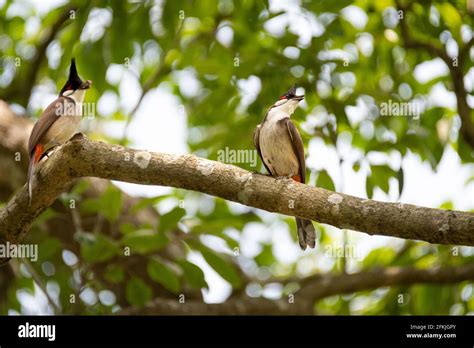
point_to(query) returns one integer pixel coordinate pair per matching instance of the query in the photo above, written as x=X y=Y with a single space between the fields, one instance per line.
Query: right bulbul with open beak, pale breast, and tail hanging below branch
x=281 y=149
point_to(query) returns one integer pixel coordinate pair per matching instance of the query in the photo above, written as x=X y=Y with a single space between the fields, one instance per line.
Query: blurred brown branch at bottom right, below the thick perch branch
x=313 y=289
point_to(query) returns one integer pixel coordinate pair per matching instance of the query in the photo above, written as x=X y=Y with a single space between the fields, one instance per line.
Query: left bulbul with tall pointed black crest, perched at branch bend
x=58 y=122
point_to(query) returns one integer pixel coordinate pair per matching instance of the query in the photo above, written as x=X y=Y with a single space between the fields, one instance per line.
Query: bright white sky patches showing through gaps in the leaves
x=166 y=131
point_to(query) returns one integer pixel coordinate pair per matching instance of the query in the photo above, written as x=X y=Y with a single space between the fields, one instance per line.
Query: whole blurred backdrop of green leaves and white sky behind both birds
x=197 y=77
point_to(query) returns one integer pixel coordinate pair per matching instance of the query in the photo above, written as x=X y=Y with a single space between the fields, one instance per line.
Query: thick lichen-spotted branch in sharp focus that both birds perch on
x=82 y=157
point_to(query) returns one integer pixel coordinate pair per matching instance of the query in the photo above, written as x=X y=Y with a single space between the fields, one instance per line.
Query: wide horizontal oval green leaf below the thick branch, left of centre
x=144 y=241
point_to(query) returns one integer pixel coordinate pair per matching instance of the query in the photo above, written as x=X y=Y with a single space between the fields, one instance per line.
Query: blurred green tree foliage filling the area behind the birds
x=341 y=66
